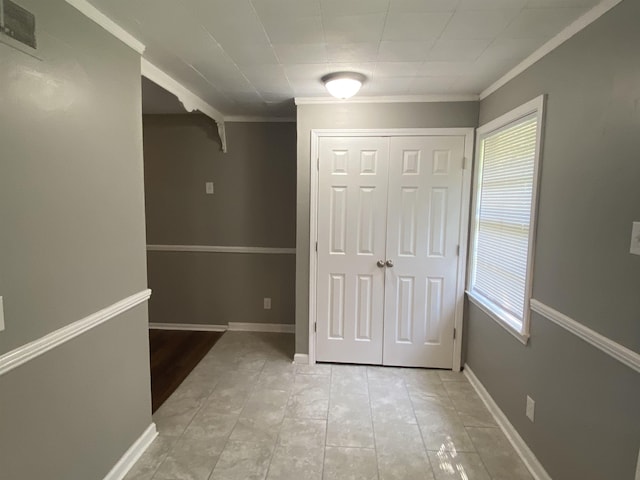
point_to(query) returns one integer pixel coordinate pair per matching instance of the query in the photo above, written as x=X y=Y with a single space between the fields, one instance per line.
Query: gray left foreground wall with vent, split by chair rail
x=71 y=243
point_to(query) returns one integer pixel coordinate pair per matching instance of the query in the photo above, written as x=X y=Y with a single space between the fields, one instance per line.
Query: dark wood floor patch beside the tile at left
x=173 y=355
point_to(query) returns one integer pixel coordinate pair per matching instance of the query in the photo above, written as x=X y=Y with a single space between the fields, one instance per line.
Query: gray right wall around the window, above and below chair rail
x=587 y=424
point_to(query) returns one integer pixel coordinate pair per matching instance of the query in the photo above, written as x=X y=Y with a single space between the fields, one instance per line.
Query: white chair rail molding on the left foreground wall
x=31 y=350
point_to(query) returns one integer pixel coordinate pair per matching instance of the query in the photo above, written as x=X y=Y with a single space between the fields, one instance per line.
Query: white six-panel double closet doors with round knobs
x=387 y=263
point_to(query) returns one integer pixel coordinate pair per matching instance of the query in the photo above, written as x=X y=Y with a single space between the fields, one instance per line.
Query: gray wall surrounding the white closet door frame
x=405 y=115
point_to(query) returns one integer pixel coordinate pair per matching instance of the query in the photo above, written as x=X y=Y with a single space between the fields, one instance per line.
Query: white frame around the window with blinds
x=519 y=330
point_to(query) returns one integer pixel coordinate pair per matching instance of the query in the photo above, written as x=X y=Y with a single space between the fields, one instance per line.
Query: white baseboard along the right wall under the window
x=529 y=459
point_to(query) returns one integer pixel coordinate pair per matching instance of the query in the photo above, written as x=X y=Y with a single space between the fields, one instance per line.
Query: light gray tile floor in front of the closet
x=247 y=413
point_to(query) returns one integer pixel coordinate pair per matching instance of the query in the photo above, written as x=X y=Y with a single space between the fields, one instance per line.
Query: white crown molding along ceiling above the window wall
x=576 y=26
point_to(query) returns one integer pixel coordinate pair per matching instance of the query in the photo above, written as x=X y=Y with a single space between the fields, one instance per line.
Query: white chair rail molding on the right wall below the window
x=621 y=353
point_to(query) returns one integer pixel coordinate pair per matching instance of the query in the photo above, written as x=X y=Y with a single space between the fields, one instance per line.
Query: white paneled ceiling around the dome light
x=251 y=57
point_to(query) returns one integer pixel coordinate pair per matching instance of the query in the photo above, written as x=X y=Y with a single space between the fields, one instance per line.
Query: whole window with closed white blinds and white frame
x=507 y=158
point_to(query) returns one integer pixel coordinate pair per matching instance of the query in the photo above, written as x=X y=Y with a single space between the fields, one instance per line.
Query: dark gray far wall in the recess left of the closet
x=253 y=205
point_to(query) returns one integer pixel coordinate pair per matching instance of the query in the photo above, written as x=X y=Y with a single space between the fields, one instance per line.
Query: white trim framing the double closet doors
x=465 y=207
